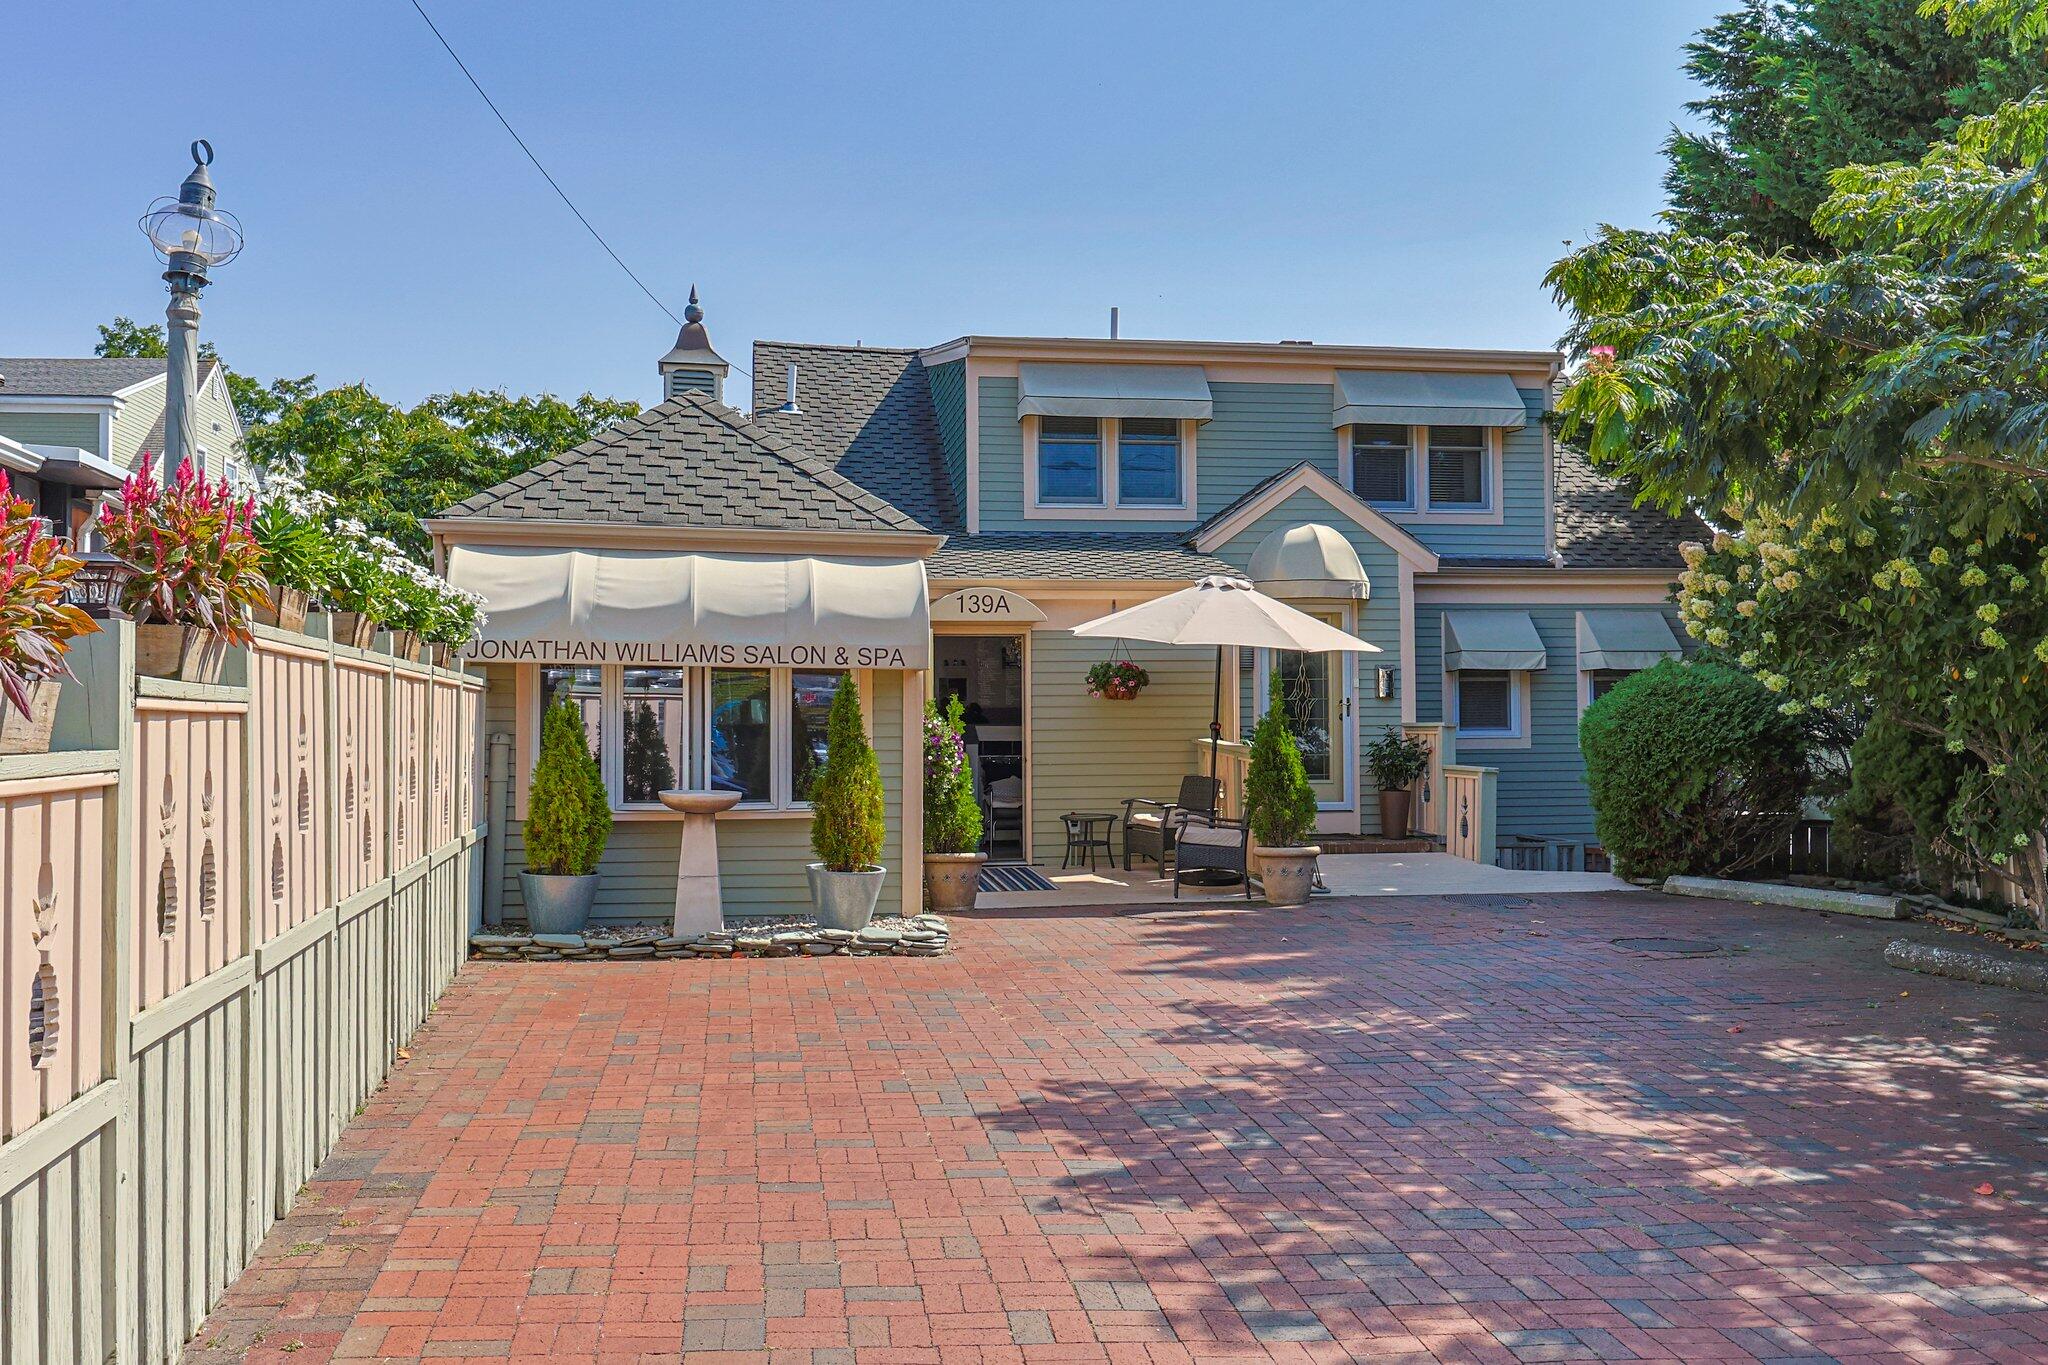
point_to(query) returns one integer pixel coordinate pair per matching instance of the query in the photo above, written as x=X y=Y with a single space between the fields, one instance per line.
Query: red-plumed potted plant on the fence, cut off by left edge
x=36 y=625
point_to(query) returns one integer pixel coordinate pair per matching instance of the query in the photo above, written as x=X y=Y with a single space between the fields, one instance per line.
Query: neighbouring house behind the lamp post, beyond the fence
x=91 y=423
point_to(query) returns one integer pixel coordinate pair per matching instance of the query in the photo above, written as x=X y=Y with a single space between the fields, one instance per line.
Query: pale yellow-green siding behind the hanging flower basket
x=1089 y=754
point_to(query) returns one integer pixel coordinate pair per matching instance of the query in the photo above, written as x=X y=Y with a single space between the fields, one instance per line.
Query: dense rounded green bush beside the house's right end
x=1693 y=770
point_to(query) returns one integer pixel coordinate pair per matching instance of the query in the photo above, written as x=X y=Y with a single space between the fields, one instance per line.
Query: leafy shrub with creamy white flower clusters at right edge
x=1924 y=615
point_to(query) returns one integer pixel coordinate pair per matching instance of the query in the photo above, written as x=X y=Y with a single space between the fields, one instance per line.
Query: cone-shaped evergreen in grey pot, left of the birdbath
x=568 y=824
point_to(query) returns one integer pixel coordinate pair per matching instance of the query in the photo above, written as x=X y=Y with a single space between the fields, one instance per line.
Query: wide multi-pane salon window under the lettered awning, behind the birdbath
x=751 y=732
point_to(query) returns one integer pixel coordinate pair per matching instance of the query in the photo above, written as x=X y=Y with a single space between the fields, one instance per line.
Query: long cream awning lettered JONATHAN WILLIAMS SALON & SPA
x=675 y=609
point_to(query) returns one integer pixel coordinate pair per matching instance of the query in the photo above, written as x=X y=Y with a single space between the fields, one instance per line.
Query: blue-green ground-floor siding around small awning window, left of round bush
x=1543 y=787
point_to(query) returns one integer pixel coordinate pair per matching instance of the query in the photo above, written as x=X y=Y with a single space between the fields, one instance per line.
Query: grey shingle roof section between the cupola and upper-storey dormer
x=865 y=410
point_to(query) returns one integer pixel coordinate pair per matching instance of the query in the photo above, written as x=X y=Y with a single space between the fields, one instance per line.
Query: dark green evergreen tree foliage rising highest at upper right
x=1803 y=87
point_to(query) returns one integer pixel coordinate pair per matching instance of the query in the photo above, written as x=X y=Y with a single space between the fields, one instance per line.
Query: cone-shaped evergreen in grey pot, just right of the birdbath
x=847 y=822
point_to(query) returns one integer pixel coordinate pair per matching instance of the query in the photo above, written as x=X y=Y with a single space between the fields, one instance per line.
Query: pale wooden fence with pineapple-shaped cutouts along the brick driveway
x=226 y=908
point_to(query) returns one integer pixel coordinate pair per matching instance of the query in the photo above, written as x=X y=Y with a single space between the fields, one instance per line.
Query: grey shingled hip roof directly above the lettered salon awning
x=687 y=464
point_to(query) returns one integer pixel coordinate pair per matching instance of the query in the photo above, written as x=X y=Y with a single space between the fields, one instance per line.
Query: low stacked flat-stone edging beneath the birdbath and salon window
x=921 y=936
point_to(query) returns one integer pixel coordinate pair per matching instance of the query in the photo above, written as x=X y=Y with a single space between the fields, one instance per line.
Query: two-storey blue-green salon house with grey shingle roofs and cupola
x=1410 y=496
